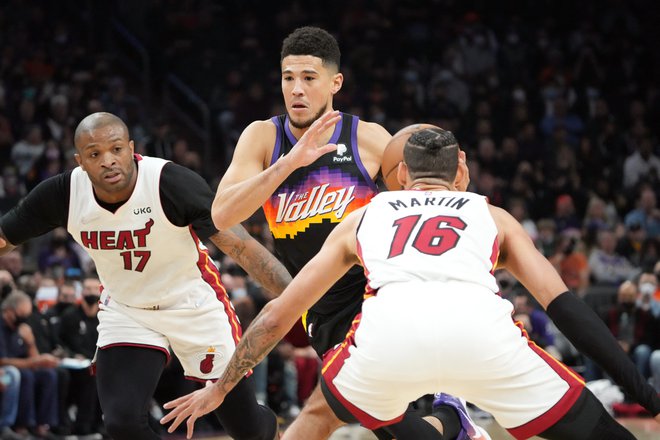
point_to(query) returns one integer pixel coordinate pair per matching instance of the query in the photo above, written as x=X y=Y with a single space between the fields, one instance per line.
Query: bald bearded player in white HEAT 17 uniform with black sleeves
x=142 y=220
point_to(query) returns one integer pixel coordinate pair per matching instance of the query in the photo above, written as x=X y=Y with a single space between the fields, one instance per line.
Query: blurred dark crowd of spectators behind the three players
x=556 y=103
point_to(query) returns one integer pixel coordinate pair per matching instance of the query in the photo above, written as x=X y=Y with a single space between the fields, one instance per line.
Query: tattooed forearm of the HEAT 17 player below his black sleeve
x=254 y=258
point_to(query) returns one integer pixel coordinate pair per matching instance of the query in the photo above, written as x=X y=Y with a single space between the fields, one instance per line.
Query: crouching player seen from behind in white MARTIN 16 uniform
x=434 y=320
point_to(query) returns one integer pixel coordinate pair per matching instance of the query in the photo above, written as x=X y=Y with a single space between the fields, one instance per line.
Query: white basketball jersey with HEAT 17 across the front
x=142 y=259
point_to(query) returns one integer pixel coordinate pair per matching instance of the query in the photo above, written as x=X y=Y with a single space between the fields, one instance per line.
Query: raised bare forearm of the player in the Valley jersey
x=237 y=202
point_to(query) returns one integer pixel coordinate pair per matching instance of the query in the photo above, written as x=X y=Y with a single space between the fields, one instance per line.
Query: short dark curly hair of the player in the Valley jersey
x=313 y=41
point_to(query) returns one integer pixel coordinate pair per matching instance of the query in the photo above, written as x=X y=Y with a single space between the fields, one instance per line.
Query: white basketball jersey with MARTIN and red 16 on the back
x=429 y=236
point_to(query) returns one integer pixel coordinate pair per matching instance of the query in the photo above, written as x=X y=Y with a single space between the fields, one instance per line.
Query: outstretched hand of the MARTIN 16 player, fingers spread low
x=193 y=406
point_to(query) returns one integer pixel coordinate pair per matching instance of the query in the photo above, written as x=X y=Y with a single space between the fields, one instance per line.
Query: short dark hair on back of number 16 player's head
x=432 y=152
